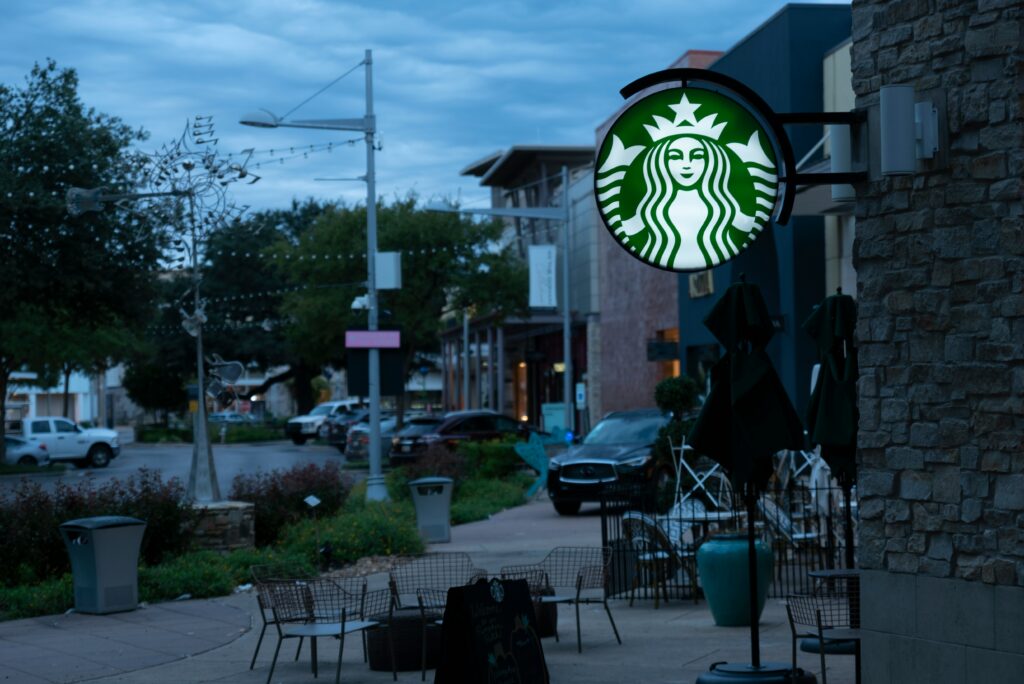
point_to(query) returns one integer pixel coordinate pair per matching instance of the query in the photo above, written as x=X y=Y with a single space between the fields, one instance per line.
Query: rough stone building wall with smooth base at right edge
x=941 y=267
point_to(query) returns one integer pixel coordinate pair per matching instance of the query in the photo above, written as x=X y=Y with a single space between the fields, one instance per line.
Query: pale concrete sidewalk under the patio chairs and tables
x=212 y=640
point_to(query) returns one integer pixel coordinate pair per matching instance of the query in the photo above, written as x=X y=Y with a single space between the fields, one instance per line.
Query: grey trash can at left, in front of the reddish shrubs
x=105 y=562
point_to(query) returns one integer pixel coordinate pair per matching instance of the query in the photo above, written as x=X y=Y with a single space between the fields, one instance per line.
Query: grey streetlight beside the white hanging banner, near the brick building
x=565 y=215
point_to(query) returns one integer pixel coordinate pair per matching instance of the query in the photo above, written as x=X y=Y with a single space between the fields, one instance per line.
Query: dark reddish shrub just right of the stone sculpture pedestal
x=279 y=496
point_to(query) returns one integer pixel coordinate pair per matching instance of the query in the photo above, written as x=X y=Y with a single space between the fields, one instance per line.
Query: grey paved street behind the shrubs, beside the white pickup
x=174 y=461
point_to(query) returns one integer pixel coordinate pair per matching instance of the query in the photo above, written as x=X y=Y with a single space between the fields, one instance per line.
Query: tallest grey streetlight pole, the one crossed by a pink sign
x=376 y=490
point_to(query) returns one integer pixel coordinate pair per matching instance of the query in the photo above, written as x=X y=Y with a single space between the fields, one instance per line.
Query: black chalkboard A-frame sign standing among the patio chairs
x=489 y=636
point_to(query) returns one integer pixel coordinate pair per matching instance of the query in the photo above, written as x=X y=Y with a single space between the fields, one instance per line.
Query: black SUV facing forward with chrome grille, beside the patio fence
x=618 y=450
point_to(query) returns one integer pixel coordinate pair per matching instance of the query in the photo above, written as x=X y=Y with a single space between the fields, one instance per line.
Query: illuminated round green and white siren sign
x=687 y=180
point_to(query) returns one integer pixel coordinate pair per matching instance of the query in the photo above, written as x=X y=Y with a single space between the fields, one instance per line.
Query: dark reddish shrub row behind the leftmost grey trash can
x=30 y=520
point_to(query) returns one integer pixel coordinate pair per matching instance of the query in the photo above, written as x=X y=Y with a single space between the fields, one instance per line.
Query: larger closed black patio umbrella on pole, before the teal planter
x=747 y=418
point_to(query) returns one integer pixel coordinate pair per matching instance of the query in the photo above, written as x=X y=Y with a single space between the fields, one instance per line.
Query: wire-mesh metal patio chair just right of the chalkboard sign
x=569 y=573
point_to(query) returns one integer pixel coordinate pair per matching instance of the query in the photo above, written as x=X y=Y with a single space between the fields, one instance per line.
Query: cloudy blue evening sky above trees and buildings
x=454 y=80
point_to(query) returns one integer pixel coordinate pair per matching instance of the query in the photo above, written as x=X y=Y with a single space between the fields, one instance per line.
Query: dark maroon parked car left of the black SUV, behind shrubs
x=457 y=426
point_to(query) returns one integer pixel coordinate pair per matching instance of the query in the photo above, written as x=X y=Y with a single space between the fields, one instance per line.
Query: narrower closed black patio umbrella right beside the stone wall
x=832 y=414
